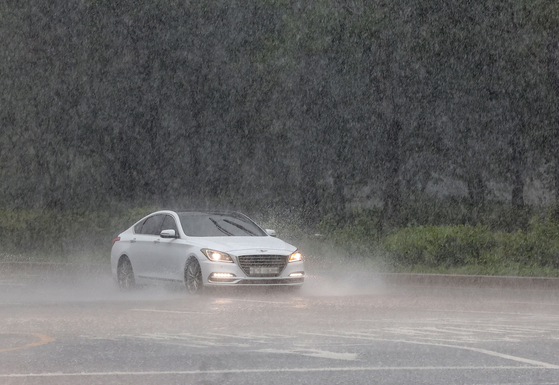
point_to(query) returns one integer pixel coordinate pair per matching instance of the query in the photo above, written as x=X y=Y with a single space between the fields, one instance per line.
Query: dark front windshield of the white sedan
x=218 y=225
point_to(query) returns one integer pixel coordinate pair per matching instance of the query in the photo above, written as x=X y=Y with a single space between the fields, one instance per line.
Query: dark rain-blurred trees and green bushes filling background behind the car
x=440 y=114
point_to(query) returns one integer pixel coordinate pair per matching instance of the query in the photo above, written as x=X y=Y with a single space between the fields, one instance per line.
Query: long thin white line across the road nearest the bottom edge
x=289 y=370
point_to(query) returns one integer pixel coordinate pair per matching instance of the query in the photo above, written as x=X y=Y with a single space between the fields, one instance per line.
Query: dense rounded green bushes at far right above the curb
x=455 y=246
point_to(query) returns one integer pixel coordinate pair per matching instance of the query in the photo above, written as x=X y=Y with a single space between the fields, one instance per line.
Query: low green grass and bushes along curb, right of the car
x=454 y=249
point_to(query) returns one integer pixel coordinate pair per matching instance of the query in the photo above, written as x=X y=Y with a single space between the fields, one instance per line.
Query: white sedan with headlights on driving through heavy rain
x=203 y=249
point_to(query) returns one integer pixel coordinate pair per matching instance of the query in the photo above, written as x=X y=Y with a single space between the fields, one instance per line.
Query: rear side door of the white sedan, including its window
x=146 y=247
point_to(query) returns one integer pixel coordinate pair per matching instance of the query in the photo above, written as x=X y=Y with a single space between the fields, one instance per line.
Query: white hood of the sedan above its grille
x=244 y=245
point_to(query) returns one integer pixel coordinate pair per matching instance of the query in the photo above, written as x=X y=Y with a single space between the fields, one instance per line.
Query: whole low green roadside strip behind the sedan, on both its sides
x=479 y=249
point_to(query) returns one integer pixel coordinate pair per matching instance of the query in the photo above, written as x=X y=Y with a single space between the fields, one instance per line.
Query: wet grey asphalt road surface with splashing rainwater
x=341 y=328
